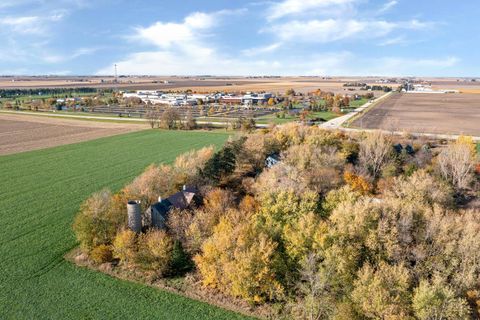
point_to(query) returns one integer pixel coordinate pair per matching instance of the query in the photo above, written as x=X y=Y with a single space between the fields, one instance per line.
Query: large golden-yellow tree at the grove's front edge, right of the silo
x=239 y=261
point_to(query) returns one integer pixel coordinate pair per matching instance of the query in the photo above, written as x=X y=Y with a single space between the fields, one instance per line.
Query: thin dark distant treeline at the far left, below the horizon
x=60 y=92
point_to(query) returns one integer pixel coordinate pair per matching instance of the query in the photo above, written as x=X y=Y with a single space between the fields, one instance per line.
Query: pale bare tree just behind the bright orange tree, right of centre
x=374 y=153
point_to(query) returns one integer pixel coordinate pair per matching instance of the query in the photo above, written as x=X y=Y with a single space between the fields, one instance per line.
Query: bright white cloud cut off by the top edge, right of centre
x=297 y=7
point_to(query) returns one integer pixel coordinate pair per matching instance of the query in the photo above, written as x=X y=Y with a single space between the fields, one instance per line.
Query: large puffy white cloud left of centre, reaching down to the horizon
x=186 y=48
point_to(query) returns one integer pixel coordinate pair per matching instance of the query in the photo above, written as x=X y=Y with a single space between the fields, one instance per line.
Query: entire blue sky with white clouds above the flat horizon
x=282 y=37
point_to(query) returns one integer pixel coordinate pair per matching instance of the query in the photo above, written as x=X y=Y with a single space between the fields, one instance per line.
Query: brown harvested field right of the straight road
x=426 y=113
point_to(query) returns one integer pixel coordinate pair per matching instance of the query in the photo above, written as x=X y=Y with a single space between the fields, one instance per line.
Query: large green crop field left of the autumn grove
x=40 y=194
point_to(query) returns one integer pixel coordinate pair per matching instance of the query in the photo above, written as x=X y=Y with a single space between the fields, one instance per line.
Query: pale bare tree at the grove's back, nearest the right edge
x=455 y=164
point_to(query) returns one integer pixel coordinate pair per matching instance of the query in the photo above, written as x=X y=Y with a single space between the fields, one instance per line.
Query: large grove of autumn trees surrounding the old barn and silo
x=342 y=227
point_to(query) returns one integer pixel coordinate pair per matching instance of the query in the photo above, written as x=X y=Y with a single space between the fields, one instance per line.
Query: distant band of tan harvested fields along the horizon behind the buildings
x=197 y=84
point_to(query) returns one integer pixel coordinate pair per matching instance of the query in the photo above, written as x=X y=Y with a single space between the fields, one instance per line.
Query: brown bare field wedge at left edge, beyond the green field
x=20 y=133
